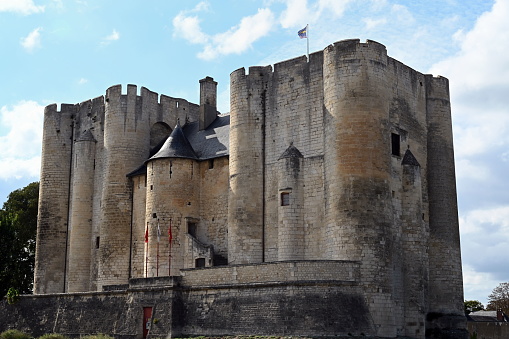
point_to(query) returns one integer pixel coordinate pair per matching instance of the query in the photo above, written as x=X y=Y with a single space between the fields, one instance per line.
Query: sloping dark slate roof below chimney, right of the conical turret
x=212 y=142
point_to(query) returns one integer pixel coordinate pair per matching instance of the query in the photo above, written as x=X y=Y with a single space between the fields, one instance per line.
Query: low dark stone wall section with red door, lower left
x=116 y=313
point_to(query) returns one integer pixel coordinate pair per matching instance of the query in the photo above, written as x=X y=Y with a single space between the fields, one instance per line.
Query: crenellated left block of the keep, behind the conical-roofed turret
x=122 y=142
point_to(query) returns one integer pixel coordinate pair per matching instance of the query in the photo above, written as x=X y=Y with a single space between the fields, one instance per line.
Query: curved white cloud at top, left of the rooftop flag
x=236 y=40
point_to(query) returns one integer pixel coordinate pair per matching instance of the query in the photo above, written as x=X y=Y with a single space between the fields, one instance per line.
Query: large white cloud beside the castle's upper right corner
x=479 y=80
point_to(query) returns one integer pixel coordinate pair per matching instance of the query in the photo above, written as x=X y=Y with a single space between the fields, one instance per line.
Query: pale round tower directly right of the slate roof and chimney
x=247 y=157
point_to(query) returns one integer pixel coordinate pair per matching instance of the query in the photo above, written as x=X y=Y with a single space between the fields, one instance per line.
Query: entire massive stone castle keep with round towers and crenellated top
x=322 y=204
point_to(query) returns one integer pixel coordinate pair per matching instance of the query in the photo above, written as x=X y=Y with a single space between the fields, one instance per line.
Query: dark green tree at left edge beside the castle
x=18 y=229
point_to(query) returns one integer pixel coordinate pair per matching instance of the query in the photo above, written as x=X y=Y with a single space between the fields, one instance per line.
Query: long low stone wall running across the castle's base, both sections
x=328 y=303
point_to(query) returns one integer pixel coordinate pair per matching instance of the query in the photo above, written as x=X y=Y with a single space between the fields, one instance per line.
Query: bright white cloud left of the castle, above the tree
x=21 y=146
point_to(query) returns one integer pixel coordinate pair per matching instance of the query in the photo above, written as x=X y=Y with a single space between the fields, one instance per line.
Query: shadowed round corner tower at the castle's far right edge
x=445 y=275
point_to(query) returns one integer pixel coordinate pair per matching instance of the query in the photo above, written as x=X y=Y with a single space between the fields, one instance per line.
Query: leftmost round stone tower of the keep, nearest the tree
x=52 y=219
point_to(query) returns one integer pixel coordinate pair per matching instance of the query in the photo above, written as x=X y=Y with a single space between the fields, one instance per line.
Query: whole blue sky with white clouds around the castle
x=67 y=51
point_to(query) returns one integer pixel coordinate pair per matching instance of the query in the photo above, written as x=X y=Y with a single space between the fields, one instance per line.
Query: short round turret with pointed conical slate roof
x=172 y=200
